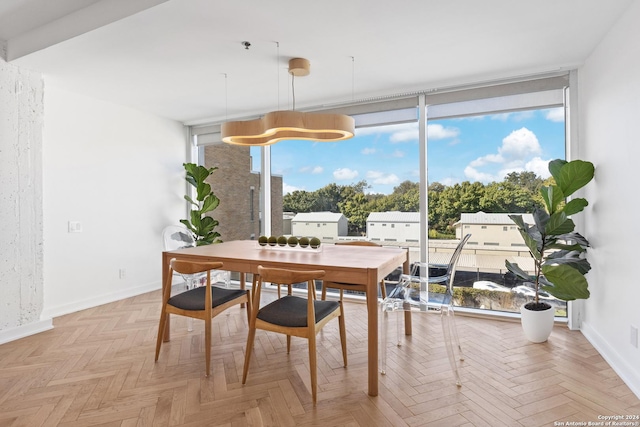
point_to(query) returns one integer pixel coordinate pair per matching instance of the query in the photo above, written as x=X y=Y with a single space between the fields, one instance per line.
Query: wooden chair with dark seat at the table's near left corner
x=201 y=302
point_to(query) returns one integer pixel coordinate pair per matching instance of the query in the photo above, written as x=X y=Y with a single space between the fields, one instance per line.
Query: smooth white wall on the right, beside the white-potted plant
x=609 y=84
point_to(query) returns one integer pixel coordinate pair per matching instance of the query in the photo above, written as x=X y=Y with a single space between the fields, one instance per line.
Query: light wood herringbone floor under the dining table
x=96 y=368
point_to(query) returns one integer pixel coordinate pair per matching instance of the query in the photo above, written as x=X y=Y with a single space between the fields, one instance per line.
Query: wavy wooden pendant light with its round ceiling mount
x=280 y=125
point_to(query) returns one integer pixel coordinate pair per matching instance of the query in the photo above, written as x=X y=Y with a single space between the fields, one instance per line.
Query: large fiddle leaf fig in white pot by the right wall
x=558 y=251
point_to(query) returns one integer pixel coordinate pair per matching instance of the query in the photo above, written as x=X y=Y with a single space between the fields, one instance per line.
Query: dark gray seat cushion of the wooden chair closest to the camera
x=291 y=311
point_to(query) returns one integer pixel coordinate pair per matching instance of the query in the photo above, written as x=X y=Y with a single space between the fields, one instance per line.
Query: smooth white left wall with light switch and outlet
x=117 y=171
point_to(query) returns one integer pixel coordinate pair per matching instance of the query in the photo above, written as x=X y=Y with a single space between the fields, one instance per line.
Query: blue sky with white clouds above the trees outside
x=480 y=148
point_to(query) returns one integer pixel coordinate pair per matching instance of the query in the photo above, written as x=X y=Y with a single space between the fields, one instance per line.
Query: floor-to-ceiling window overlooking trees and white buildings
x=486 y=153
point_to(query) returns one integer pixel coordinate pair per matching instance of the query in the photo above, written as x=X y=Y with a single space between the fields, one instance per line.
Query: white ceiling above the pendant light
x=184 y=59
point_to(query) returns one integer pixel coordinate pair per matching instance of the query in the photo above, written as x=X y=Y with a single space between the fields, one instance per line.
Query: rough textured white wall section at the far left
x=21 y=252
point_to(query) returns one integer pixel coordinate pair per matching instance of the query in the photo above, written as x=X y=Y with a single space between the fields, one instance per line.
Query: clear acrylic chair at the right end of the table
x=412 y=294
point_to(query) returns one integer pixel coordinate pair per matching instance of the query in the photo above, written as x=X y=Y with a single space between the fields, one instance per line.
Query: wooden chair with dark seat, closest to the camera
x=294 y=316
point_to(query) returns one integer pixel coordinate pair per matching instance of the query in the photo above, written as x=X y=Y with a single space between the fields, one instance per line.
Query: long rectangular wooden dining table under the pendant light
x=342 y=263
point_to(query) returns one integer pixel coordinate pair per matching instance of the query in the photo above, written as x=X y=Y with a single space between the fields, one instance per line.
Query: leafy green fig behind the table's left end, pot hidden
x=201 y=226
